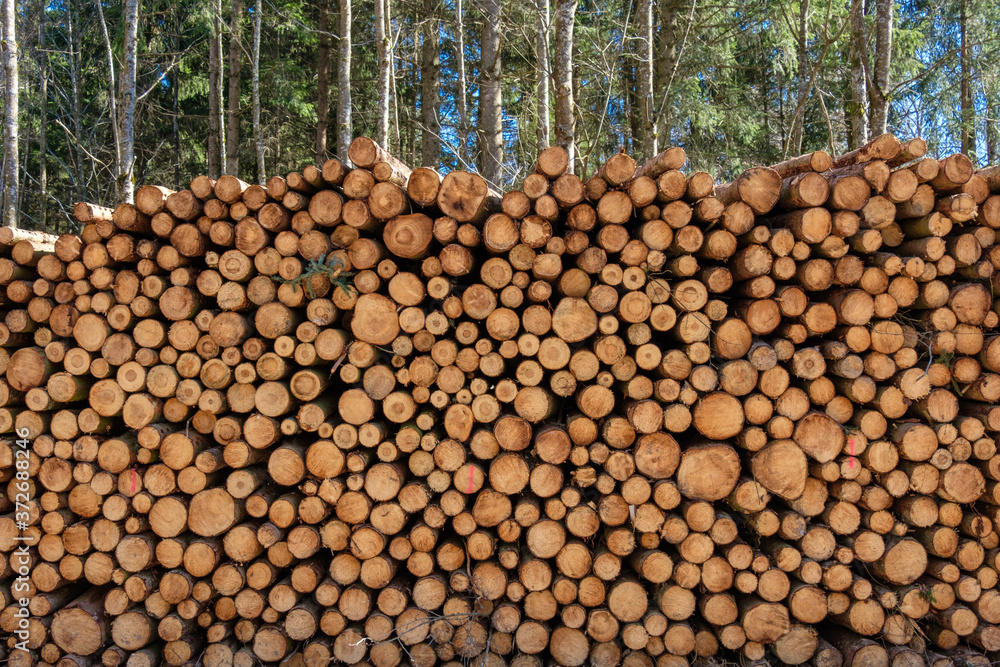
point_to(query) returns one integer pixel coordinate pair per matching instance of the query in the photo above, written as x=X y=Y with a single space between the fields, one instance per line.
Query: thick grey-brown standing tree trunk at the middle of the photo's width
x=490 y=97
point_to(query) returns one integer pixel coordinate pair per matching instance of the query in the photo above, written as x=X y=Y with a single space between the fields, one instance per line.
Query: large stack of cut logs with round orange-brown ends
x=375 y=416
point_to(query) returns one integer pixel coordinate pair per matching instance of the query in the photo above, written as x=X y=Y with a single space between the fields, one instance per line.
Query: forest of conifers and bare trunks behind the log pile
x=99 y=96
